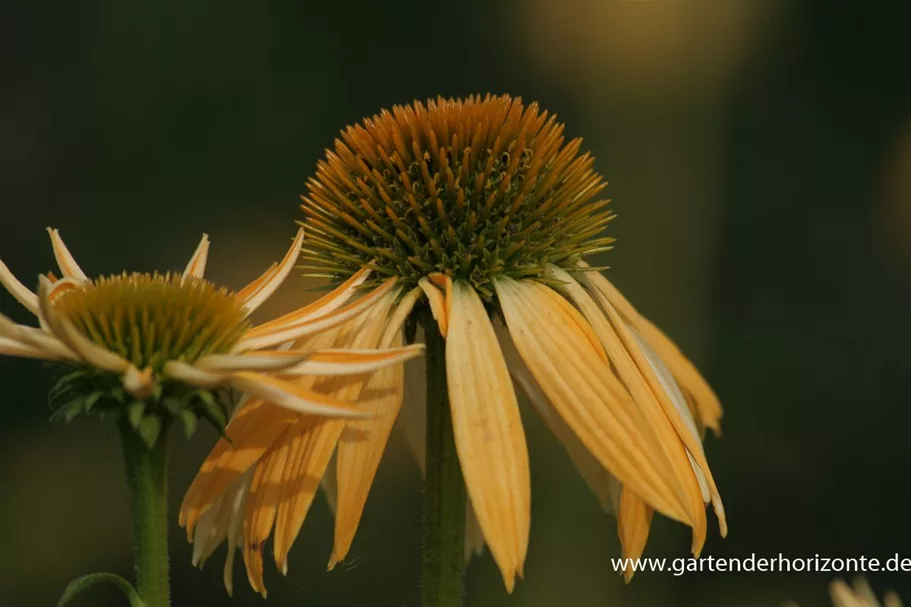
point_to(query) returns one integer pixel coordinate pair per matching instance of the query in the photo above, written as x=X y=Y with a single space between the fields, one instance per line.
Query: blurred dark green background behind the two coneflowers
x=759 y=155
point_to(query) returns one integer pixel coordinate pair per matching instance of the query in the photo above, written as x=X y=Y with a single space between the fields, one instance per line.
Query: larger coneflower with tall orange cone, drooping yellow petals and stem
x=484 y=215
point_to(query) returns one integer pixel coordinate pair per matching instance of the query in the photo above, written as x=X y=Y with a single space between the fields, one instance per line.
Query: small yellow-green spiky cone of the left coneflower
x=151 y=319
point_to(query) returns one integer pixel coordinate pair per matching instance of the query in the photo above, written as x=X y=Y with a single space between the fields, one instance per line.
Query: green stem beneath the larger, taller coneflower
x=443 y=558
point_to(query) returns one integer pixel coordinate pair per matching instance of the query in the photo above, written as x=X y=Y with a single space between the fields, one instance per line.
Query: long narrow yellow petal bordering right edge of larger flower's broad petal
x=639 y=380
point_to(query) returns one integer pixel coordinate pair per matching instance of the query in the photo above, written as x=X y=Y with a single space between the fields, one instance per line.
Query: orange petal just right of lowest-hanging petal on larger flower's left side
x=318 y=439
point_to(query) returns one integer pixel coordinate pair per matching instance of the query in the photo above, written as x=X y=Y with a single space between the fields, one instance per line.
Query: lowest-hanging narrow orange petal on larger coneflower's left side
x=262 y=503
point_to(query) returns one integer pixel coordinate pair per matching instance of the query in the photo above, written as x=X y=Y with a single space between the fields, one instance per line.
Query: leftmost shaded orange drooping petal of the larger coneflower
x=253 y=430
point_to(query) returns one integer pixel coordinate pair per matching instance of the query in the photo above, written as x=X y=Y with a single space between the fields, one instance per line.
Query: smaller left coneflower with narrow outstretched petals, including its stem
x=152 y=350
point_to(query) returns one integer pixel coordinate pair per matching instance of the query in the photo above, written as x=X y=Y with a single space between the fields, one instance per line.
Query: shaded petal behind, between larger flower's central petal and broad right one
x=600 y=481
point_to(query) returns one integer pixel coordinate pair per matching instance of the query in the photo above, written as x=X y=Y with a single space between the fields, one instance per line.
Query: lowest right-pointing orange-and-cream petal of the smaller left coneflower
x=292 y=396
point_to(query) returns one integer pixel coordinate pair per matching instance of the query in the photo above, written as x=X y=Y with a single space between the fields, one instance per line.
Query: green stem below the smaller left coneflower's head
x=147 y=481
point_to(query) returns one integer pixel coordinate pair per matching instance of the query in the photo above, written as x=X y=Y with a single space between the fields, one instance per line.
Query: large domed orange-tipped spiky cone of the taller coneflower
x=474 y=188
